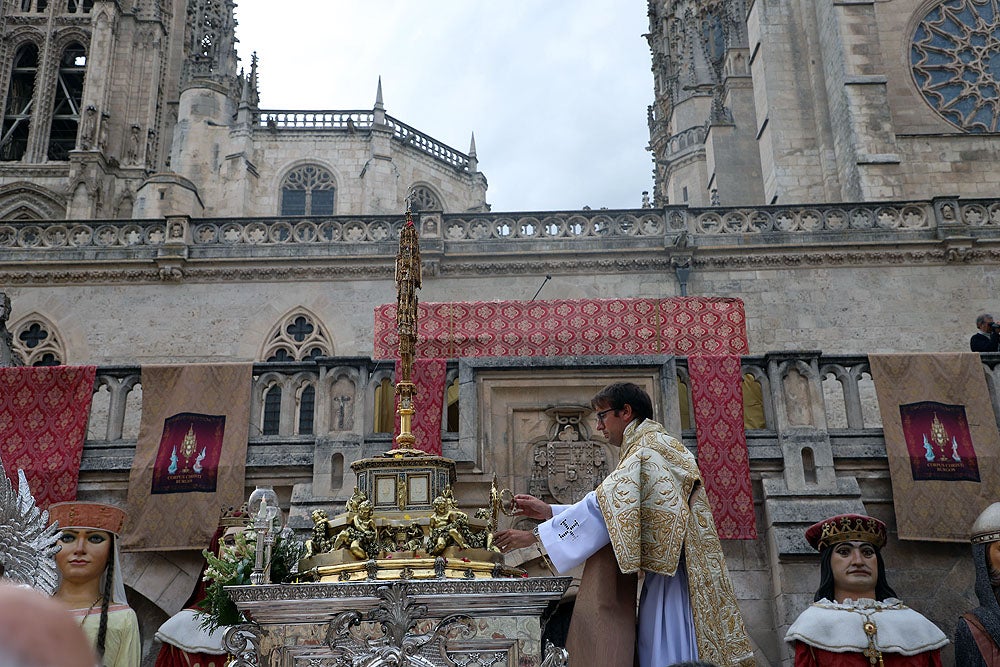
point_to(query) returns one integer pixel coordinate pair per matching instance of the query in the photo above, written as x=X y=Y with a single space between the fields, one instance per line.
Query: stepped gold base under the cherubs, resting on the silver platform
x=453 y=563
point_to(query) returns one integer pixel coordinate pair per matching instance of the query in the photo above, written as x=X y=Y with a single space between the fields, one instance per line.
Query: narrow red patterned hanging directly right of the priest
x=723 y=459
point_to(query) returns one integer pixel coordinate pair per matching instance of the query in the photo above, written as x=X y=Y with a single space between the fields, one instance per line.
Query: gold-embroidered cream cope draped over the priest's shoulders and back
x=657 y=511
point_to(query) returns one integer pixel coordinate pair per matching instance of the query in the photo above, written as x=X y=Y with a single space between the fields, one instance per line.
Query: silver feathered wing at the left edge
x=28 y=545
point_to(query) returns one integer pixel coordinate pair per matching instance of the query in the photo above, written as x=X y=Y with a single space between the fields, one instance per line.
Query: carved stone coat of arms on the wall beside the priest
x=569 y=465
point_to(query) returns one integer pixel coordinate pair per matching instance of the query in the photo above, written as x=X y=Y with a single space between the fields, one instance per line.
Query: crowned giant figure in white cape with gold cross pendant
x=855 y=619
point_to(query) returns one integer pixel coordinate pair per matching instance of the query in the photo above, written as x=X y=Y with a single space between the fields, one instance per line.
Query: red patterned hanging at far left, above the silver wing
x=43 y=423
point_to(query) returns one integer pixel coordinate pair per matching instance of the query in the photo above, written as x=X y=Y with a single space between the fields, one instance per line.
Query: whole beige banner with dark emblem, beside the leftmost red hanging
x=190 y=457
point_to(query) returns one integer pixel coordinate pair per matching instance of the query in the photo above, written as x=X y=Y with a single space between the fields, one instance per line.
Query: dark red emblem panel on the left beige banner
x=188 y=458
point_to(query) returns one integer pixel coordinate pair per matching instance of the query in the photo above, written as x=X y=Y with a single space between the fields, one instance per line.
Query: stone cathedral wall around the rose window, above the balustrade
x=838 y=113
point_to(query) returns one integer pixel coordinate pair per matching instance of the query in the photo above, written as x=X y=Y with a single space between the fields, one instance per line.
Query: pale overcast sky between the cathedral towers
x=555 y=90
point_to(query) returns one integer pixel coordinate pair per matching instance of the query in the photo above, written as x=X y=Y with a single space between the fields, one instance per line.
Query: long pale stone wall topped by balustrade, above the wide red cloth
x=844 y=279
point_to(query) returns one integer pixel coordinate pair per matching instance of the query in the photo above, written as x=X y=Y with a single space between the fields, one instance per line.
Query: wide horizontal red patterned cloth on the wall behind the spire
x=581 y=327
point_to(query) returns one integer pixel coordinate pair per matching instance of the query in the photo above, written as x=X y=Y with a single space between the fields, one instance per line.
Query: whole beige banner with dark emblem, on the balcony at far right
x=941 y=439
